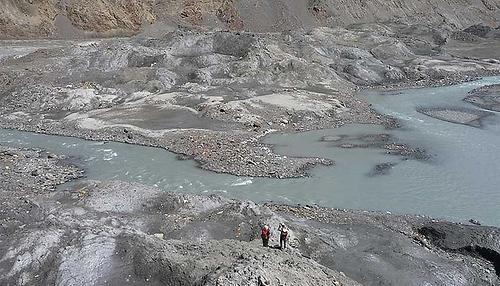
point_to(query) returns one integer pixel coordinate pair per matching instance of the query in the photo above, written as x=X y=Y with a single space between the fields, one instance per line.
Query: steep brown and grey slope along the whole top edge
x=70 y=18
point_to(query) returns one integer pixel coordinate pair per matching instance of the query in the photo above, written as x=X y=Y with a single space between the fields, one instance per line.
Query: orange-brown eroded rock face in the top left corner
x=71 y=18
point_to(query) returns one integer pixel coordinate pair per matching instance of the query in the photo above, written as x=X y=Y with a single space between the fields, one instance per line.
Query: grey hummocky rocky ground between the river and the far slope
x=212 y=96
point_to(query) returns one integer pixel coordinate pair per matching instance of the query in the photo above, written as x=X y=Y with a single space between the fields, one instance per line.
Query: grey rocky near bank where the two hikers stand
x=116 y=233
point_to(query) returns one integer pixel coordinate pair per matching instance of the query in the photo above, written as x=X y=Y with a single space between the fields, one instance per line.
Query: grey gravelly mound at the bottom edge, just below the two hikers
x=225 y=262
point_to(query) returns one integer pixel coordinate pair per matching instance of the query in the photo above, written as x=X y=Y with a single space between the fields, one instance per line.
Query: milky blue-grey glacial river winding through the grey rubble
x=460 y=181
